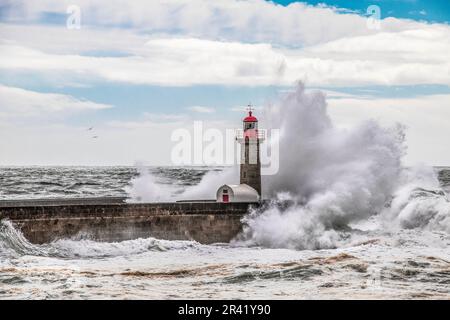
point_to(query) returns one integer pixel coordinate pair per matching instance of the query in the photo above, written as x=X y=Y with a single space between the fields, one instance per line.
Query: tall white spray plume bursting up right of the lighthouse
x=332 y=176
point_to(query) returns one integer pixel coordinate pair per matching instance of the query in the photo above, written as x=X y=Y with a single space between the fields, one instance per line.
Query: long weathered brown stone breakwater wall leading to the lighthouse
x=111 y=219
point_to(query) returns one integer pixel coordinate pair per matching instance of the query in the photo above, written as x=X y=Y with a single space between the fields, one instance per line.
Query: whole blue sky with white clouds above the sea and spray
x=107 y=82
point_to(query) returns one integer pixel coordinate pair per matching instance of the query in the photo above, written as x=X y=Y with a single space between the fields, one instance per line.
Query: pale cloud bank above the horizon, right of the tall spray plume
x=425 y=119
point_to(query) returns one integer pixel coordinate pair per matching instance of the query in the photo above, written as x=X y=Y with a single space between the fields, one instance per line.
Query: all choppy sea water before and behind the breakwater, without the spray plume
x=372 y=262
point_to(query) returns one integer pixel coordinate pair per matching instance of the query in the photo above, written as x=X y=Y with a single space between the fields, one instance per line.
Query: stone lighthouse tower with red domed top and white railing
x=250 y=139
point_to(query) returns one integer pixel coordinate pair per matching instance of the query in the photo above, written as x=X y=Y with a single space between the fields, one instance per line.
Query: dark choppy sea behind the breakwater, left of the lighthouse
x=78 y=182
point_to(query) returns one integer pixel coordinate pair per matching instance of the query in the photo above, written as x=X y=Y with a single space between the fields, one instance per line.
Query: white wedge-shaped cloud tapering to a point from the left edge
x=17 y=102
